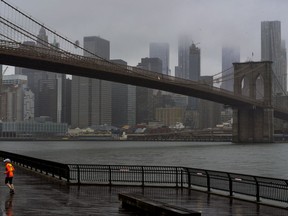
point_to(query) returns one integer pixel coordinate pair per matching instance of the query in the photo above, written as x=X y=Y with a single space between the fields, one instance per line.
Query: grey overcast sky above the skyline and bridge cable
x=130 y=25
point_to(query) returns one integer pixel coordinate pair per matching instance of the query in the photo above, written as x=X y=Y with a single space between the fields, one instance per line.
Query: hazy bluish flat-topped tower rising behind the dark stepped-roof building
x=161 y=51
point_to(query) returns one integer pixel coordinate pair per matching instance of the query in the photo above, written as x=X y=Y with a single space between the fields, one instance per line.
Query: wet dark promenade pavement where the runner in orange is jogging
x=38 y=195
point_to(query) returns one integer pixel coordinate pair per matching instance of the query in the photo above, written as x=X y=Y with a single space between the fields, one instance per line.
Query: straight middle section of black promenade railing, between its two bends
x=127 y=174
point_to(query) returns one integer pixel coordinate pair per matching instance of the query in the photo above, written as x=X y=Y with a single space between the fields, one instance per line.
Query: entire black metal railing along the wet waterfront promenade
x=232 y=184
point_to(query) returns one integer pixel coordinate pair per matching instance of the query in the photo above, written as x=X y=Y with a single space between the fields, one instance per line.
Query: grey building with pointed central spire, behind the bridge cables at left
x=44 y=84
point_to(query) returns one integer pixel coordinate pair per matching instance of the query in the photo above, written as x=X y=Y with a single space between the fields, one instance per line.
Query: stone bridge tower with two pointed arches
x=252 y=124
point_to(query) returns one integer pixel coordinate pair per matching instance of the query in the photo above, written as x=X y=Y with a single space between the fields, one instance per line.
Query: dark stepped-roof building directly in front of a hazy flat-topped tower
x=145 y=110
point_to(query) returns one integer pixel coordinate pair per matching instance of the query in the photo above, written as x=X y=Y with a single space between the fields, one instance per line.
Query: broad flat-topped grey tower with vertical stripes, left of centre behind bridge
x=91 y=98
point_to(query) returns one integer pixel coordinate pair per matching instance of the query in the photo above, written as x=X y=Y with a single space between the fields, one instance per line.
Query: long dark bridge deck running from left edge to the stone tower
x=59 y=61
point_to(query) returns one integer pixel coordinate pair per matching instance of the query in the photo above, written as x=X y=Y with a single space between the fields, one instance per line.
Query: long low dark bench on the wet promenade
x=153 y=207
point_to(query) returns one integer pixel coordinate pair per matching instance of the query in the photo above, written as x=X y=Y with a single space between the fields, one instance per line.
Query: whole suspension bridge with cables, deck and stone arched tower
x=253 y=115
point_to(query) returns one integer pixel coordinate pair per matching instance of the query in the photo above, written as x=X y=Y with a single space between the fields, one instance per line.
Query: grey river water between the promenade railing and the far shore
x=269 y=160
